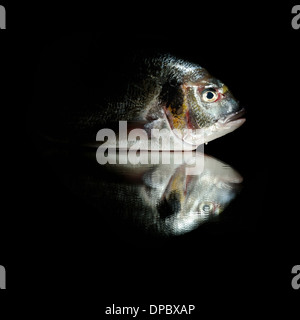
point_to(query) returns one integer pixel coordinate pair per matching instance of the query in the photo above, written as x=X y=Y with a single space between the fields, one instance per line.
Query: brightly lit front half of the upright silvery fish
x=179 y=100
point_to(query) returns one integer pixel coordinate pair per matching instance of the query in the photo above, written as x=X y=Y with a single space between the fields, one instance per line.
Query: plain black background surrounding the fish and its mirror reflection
x=53 y=245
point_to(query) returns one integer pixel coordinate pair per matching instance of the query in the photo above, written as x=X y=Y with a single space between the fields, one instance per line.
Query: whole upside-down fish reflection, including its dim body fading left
x=157 y=199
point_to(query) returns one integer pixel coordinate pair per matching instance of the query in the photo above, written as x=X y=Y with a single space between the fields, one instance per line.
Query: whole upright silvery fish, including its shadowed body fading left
x=154 y=91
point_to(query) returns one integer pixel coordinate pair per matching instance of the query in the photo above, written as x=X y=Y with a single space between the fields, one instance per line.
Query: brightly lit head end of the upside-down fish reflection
x=181 y=202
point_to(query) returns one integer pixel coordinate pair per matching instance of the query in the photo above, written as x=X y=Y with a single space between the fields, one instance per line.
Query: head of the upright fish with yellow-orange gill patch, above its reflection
x=207 y=108
